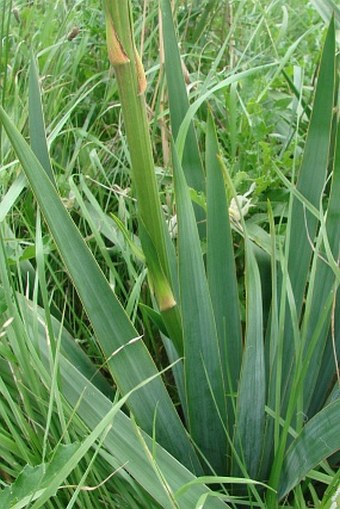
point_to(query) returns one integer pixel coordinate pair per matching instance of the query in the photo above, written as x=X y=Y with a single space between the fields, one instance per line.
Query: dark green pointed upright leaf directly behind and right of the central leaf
x=221 y=271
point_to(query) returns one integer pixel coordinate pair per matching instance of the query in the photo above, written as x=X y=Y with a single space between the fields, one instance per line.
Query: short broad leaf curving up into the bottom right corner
x=319 y=439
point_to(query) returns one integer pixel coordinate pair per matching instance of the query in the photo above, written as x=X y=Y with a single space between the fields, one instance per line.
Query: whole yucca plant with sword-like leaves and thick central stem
x=259 y=398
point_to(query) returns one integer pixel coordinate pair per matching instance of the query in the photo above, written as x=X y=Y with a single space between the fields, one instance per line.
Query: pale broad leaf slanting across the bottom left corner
x=121 y=441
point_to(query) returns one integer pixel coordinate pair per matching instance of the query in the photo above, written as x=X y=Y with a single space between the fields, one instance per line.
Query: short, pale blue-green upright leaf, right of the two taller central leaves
x=250 y=415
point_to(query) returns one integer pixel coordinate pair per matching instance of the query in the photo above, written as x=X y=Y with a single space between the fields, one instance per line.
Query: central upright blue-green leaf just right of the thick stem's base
x=202 y=357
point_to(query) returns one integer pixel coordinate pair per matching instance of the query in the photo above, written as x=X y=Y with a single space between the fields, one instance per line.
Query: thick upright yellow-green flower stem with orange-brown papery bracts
x=131 y=82
